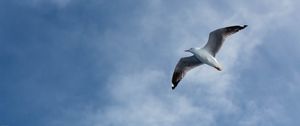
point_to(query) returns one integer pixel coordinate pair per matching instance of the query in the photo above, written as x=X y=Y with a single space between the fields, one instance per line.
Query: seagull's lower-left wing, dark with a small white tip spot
x=183 y=66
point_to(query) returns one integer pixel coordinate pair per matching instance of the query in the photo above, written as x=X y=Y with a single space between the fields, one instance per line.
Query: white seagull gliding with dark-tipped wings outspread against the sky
x=205 y=55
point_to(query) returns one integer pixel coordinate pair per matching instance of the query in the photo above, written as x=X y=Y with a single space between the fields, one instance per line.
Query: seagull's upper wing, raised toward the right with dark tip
x=217 y=37
